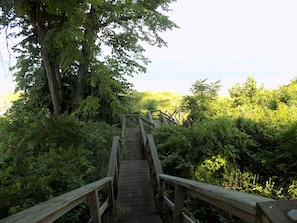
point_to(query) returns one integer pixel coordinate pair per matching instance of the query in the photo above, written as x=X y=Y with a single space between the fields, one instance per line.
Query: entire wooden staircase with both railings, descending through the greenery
x=130 y=181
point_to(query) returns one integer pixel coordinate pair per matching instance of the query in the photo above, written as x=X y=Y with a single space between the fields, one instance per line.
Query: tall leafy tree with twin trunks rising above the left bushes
x=83 y=49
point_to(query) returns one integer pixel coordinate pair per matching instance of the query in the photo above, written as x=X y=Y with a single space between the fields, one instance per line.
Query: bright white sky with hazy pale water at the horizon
x=217 y=40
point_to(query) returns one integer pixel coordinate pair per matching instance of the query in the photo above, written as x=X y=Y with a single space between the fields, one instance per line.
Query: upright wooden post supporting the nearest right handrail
x=179 y=194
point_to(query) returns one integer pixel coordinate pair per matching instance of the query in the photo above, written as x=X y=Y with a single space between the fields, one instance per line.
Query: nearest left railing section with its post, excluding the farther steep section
x=53 y=209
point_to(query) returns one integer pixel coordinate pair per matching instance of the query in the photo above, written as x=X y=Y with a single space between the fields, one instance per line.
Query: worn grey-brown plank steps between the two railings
x=135 y=192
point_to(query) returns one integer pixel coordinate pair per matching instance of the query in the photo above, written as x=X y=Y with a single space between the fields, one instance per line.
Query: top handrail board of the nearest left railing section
x=51 y=210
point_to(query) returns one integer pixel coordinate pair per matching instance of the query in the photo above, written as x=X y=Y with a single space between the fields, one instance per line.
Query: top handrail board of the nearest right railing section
x=237 y=203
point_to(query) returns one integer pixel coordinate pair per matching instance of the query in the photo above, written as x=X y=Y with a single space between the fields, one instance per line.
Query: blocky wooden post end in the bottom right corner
x=275 y=211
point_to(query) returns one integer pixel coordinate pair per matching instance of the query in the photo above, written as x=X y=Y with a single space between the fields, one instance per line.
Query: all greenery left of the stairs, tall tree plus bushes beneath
x=73 y=57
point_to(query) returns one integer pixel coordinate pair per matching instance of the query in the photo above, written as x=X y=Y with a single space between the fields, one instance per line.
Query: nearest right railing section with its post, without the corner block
x=242 y=205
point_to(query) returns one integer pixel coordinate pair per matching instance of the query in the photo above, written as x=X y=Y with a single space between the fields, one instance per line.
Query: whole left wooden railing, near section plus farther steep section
x=53 y=209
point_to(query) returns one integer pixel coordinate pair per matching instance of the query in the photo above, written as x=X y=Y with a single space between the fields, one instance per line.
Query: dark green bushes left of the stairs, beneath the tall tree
x=42 y=157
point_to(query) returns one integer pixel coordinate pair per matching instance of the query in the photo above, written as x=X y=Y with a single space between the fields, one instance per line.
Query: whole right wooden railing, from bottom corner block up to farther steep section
x=246 y=206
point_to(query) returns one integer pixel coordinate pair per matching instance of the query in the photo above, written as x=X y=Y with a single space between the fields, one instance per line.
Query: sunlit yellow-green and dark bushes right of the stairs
x=245 y=142
